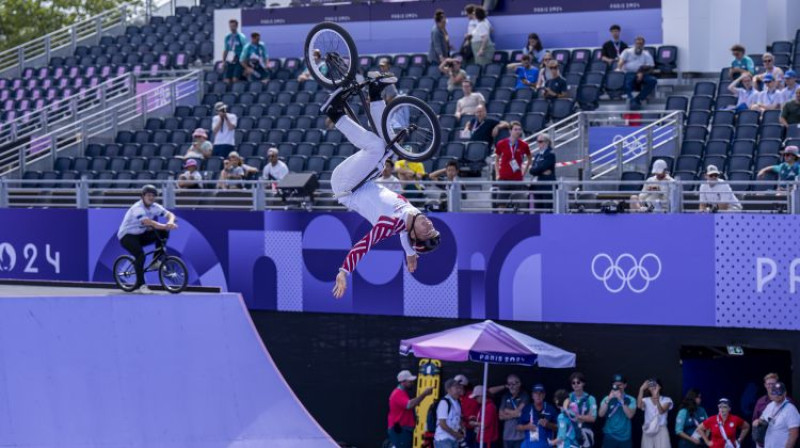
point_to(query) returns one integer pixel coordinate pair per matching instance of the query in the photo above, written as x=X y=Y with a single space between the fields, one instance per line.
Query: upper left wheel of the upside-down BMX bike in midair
x=338 y=51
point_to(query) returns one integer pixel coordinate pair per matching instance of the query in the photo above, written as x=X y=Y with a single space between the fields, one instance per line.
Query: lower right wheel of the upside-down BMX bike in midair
x=411 y=128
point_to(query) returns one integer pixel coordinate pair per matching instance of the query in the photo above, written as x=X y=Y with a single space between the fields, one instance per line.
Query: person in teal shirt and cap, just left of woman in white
x=618 y=408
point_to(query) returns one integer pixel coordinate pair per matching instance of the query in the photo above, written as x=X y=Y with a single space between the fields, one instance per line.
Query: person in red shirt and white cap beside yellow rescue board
x=401 y=410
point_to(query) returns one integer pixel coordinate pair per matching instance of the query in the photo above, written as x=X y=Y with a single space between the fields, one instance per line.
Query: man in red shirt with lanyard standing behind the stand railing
x=512 y=160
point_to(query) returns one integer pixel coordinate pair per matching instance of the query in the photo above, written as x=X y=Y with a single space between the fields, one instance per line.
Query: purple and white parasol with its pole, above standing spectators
x=489 y=343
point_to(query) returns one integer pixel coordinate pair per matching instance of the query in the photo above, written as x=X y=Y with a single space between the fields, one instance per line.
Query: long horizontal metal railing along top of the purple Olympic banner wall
x=479 y=196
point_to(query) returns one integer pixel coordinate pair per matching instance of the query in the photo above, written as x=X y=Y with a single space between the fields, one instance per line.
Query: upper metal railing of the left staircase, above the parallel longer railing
x=72 y=107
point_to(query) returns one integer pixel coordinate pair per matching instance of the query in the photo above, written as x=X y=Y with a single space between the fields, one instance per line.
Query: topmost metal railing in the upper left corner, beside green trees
x=40 y=50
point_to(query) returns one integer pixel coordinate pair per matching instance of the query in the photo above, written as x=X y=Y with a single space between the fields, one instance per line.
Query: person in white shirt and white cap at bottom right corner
x=782 y=418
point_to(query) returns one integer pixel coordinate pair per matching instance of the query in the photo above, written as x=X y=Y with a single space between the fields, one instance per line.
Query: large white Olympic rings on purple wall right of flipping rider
x=626 y=271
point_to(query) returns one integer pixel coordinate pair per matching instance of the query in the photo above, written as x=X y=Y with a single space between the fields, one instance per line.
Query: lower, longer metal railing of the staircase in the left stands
x=165 y=95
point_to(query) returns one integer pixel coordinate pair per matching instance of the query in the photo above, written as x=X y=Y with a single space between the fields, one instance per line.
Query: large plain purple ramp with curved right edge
x=118 y=371
